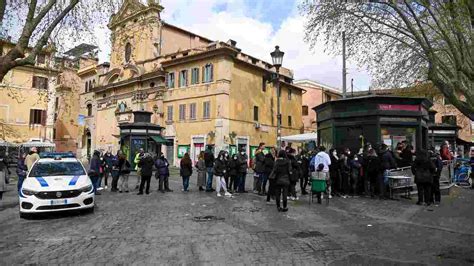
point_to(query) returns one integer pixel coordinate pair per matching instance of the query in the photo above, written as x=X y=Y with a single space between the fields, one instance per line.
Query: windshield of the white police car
x=56 y=169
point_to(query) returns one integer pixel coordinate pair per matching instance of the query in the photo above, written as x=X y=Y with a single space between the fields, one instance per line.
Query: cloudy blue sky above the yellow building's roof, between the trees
x=257 y=26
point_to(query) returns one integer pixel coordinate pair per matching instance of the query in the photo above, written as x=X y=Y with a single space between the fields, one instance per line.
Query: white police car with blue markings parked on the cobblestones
x=56 y=184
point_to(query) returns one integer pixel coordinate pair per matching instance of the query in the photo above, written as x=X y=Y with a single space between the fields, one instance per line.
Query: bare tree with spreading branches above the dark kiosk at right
x=401 y=42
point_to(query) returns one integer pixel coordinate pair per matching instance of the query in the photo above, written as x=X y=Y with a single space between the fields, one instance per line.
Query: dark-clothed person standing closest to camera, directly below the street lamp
x=282 y=171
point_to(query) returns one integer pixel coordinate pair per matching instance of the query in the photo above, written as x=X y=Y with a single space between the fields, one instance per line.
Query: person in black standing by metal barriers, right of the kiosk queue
x=423 y=169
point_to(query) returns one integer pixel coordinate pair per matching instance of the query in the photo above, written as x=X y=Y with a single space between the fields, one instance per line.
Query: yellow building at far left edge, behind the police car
x=27 y=96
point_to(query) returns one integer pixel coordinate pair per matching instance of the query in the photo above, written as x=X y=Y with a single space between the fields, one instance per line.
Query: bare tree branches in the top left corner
x=40 y=22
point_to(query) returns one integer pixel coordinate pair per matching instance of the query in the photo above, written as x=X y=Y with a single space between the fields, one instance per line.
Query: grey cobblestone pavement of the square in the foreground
x=163 y=229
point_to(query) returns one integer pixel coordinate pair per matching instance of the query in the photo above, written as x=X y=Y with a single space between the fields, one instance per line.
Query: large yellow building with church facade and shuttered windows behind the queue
x=202 y=92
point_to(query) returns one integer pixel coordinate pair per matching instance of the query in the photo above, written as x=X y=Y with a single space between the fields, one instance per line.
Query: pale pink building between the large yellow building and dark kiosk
x=315 y=94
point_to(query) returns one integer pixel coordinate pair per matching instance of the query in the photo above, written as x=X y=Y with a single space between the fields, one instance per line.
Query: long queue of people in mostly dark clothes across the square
x=276 y=174
